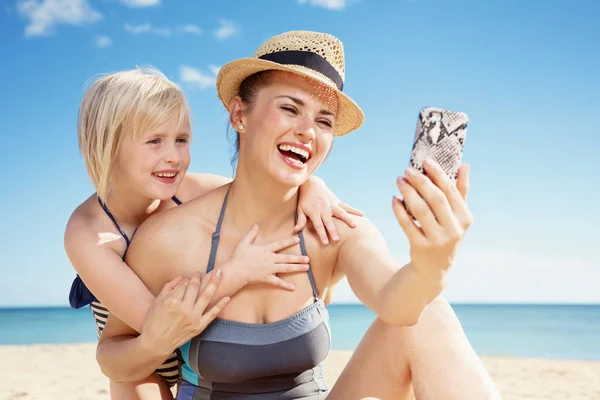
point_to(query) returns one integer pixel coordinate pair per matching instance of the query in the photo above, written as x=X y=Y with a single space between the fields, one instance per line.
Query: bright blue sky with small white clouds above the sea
x=525 y=72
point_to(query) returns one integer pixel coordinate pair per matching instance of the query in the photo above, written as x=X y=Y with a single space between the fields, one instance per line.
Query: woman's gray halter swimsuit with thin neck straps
x=279 y=360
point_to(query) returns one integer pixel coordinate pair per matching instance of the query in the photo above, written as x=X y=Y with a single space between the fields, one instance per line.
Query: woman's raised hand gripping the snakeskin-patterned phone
x=439 y=205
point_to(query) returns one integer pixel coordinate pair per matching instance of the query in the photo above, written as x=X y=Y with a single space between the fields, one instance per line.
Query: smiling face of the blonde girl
x=155 y=163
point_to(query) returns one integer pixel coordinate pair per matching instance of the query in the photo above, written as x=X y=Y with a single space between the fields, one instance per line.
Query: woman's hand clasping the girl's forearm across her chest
x=180 y=312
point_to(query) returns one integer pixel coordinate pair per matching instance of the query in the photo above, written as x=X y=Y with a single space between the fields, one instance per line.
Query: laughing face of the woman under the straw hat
x=288 y=128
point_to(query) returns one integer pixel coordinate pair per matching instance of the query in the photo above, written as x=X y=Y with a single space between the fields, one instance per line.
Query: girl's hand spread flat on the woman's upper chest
x=261 y=263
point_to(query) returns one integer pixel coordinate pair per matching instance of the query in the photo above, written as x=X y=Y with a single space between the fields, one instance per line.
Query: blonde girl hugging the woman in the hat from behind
x=134 y=134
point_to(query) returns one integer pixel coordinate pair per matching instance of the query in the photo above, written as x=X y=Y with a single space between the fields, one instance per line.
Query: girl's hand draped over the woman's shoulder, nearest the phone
x=320 y=205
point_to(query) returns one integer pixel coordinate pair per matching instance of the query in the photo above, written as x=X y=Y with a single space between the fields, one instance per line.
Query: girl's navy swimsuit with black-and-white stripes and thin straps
x=81 y=296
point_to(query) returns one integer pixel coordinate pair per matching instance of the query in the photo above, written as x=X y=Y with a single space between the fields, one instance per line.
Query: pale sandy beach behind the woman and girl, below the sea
x=65 y=372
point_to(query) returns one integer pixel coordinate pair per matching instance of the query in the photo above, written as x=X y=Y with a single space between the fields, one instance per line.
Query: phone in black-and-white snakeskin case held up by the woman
x=440 y=135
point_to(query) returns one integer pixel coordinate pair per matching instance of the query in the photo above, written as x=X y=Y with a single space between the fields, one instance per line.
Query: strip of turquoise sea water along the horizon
x=542 y=331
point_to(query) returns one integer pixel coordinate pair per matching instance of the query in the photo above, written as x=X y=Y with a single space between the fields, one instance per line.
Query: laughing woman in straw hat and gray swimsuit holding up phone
x=287 y=105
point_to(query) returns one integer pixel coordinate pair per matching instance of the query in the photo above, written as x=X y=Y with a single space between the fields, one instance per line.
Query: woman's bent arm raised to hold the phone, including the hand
x=399 y=295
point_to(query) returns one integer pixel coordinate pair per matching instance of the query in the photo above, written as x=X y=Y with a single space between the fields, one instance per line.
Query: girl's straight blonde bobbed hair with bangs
x=119 y=104
